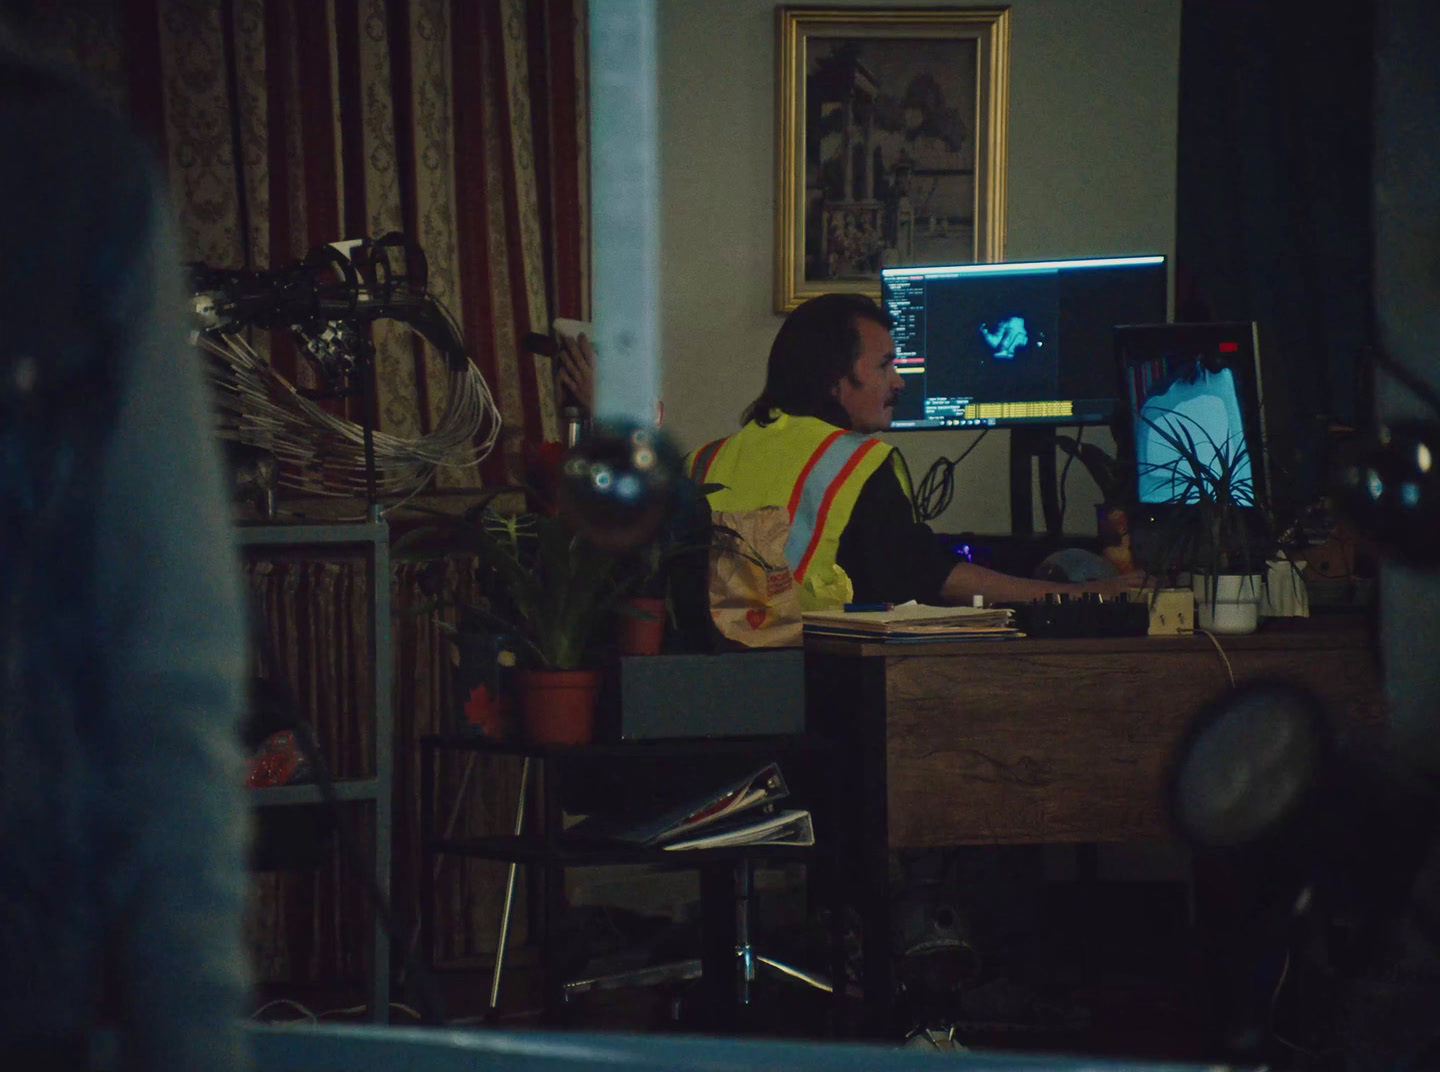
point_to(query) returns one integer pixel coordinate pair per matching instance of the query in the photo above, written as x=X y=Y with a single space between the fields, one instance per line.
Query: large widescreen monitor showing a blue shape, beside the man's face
x=1017 y=344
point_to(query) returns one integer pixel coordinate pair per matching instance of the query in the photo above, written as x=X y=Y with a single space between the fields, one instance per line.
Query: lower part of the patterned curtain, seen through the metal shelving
x=313 y=927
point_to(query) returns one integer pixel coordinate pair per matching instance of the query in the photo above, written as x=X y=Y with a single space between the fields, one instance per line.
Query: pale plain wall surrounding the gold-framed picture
x=1092 y=172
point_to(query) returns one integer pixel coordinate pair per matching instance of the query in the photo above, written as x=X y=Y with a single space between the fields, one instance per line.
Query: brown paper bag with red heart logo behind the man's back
x=754 y=599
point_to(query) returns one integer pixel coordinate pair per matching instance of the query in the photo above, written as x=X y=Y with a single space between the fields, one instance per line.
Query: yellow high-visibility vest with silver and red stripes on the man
x=813 y=469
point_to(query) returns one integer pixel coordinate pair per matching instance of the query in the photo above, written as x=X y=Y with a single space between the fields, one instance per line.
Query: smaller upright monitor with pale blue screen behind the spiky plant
x=1200 y=385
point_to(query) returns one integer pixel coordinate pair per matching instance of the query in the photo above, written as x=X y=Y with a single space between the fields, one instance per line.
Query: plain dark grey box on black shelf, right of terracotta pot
x=741 y=694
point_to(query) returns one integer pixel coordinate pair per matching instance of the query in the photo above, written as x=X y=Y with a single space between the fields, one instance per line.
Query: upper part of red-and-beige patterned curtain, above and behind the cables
x=287 y=125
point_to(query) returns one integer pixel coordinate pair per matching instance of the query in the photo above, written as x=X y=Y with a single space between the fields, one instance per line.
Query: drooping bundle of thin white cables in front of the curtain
x=325 y=455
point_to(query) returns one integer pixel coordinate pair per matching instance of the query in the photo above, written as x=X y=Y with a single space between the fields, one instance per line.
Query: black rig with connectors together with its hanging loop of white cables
x=328 y=302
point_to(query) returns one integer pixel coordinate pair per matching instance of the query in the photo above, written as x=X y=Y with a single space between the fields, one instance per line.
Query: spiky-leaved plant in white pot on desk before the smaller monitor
x=1218 y=531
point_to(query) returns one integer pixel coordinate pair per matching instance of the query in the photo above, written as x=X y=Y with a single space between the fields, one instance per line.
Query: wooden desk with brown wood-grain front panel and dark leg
x=1036 y=741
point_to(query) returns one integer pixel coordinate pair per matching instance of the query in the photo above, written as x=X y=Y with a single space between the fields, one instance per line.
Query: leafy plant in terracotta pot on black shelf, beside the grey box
x=549 y=590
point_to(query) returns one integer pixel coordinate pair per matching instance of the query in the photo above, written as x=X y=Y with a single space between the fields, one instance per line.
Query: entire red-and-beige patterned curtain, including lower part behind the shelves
x=284 y=125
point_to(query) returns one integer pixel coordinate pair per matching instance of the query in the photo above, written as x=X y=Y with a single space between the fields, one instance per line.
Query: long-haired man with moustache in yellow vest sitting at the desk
x=809 y=443
